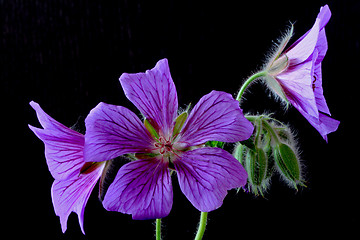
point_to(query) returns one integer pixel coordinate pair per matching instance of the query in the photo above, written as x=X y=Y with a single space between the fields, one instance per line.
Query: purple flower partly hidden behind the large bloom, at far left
x=74 y=178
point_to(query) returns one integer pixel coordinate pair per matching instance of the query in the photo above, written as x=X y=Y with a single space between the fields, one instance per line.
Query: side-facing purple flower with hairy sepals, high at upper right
x=295 y=75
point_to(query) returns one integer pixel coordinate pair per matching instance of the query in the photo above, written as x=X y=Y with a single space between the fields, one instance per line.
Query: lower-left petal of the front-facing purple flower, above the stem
x=141 y=188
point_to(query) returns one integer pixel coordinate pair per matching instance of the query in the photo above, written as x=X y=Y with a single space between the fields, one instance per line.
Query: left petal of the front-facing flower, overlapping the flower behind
x=112 y=131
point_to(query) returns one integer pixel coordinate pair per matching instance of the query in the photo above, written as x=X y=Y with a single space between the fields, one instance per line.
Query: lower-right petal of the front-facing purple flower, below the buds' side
x=205 y=175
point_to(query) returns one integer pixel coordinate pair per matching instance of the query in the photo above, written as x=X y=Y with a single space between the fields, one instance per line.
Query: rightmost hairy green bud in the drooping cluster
x=288 y=164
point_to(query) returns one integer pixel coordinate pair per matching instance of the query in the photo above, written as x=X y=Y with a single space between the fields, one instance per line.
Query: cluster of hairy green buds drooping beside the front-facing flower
x=271 y=149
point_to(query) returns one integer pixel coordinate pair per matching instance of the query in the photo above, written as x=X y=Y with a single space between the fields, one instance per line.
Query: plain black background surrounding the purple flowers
x=67 y=55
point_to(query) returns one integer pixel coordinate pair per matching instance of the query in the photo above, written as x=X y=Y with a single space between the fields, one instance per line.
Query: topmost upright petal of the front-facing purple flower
x=154 y=94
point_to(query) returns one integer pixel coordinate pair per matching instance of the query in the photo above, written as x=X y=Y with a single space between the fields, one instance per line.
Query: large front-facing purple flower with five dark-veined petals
x=166 y=142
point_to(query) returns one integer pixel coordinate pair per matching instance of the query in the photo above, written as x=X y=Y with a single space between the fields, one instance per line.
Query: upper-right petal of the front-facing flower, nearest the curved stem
x=216 y=117
